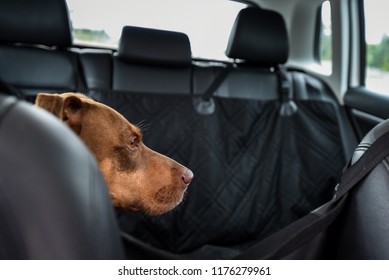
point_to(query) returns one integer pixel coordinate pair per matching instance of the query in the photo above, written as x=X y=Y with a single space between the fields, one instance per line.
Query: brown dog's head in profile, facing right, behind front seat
x=138 y=178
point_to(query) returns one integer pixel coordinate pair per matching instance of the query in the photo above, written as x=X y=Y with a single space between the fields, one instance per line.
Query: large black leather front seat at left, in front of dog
x=53 y=199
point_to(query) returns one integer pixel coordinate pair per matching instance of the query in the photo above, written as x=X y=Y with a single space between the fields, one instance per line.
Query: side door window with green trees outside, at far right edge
x=377 y=45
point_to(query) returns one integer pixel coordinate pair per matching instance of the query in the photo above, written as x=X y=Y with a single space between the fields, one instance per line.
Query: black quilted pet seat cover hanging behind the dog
x=255 y=170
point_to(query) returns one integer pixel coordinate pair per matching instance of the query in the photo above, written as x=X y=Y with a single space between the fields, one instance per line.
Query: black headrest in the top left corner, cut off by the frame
x=43 y=22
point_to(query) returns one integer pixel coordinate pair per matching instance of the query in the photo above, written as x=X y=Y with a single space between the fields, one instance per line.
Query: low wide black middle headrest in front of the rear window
x=152 y=46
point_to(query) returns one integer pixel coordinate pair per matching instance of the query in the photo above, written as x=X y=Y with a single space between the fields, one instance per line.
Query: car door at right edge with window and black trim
x=367 y=97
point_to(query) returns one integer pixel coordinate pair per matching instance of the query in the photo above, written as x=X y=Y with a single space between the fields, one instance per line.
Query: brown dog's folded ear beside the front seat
x=68 y=108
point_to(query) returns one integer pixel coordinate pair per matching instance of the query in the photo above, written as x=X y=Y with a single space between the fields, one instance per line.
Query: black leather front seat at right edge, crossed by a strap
x=364 y=223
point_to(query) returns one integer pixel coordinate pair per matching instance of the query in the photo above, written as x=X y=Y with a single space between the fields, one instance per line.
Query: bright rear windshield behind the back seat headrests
x=207 y=23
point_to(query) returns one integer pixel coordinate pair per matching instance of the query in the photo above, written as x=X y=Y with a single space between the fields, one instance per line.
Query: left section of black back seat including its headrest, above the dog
x=34 y=54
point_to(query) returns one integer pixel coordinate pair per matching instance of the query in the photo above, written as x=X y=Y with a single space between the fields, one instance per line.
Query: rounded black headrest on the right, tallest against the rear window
x=259 y=36
